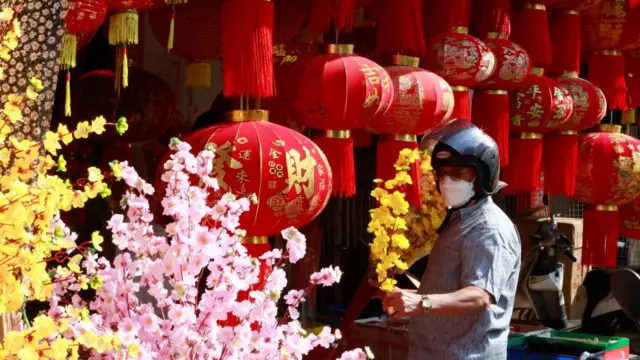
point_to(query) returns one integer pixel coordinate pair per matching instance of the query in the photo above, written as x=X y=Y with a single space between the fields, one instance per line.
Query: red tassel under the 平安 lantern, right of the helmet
x=525 y=163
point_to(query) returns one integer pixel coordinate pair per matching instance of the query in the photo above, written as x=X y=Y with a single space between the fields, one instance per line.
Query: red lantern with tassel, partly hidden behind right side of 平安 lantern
x=561 y=146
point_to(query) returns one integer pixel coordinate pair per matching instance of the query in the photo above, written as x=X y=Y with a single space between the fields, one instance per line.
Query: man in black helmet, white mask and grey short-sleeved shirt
x=464 y=304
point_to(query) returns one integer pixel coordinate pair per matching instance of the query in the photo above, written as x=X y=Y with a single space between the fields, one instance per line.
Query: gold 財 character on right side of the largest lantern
x=301 y=172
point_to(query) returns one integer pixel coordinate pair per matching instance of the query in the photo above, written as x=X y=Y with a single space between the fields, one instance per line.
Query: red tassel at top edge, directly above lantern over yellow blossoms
x=399 y=26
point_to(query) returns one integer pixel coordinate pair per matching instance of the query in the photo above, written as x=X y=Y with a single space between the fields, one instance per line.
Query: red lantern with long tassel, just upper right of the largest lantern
x=340 y=92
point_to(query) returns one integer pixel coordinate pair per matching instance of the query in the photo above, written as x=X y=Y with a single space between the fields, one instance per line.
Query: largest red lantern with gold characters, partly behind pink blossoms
x=287 y=171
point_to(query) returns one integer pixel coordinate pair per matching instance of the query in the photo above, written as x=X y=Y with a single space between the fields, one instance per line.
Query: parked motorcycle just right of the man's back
x=539 y=296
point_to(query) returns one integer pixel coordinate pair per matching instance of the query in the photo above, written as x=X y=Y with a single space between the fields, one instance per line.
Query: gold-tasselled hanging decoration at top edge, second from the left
x=123 y=31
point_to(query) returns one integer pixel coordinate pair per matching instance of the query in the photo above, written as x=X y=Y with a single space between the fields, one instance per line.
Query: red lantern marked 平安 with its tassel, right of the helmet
x=538 y=107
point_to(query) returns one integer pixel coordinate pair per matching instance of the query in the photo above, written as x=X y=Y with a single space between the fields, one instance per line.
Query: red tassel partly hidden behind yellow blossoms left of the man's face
x=387 y=154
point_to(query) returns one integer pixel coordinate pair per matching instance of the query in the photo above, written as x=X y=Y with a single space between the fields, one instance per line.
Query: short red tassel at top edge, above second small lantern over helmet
x=491 y=16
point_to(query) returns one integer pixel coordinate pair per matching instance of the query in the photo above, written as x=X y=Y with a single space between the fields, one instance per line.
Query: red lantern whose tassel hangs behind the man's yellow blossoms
x=422 y=101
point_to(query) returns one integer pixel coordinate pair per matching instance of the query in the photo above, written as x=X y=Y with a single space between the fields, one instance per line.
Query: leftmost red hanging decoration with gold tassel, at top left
x=84 y=17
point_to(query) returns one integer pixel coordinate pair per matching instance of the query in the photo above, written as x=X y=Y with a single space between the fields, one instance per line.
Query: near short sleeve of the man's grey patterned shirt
x=486 y=262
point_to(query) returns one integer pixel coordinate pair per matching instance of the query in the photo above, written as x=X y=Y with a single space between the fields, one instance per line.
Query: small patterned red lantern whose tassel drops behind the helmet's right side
x=491 y=101
